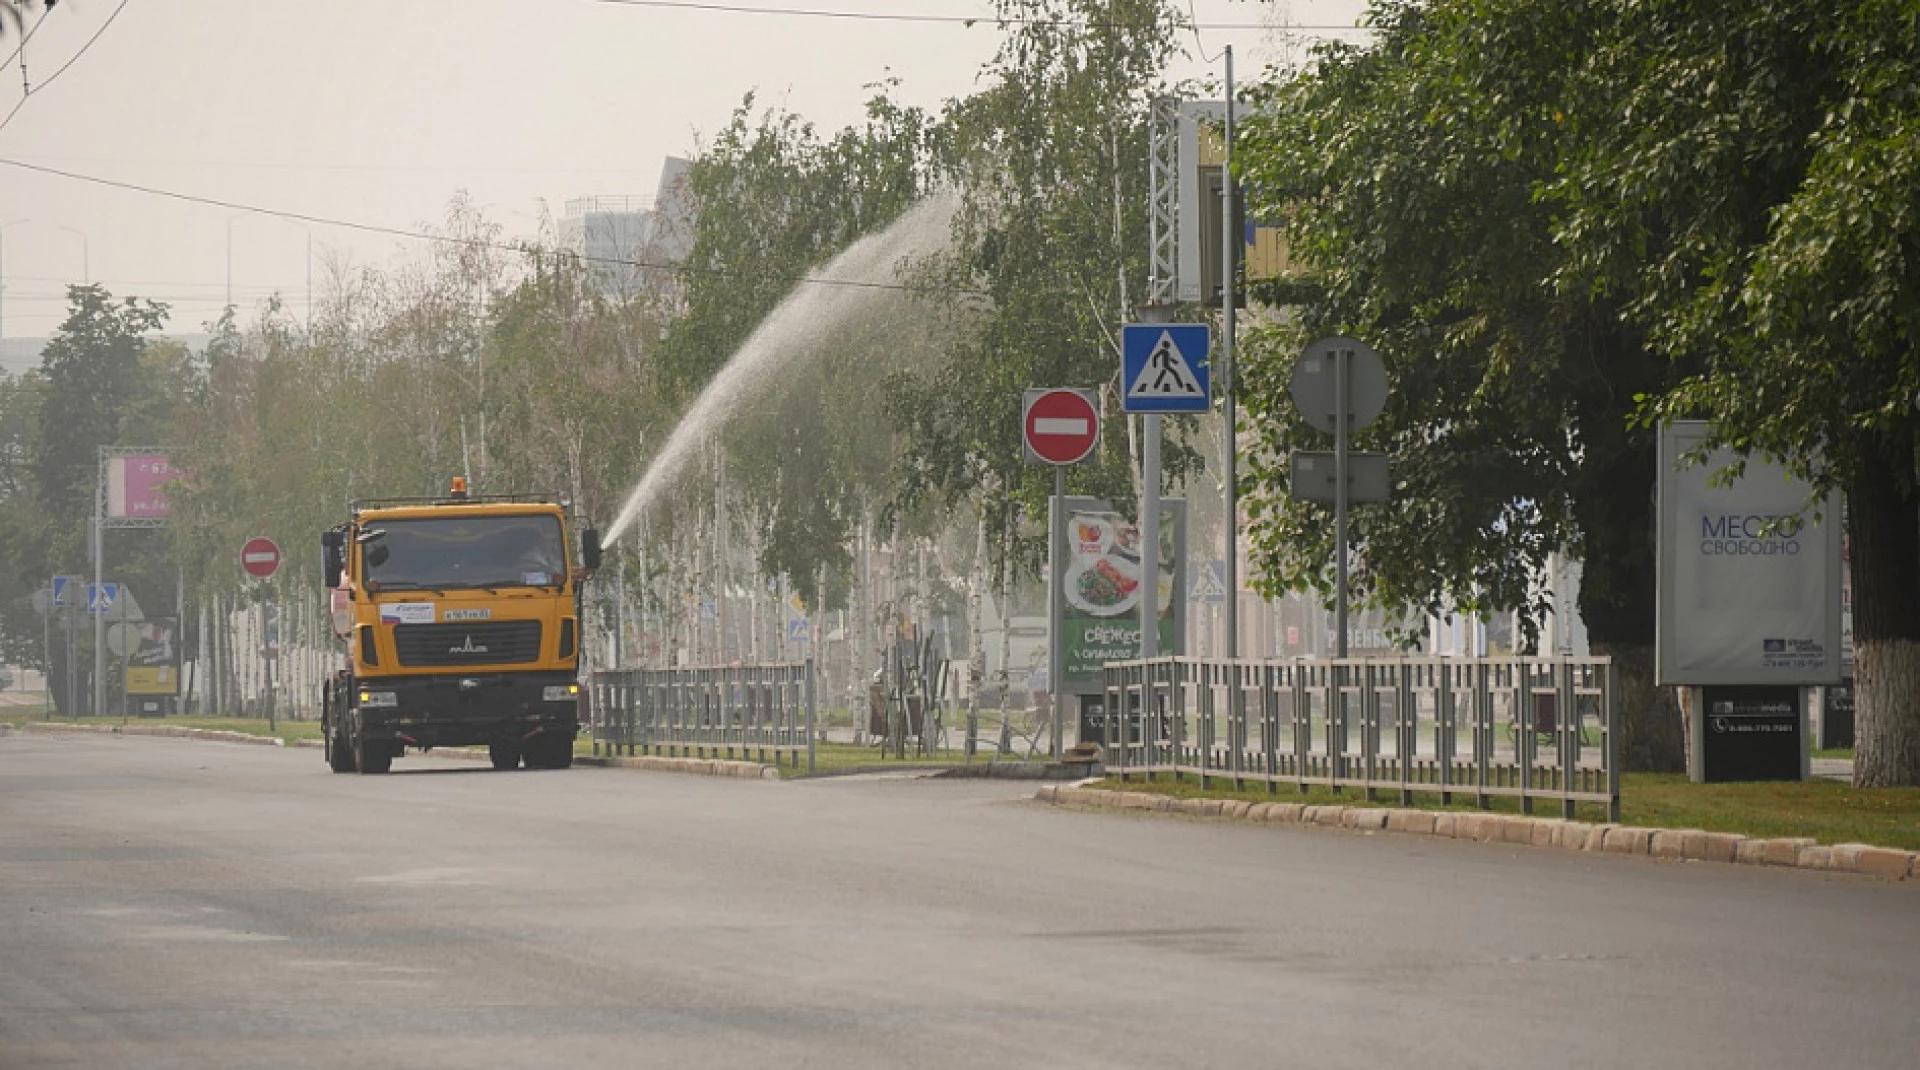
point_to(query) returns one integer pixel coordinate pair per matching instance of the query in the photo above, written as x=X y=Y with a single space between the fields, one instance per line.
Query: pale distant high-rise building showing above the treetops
x=631 y=245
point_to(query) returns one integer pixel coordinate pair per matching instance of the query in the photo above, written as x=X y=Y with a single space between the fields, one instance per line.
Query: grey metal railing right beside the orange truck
x=754 y=714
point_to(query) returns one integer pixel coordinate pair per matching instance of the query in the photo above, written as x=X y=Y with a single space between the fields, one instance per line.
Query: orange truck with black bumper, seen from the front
x=462 y=627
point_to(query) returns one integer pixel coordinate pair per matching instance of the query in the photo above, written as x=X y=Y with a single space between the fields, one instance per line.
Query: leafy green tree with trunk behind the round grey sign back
x=1406 y=174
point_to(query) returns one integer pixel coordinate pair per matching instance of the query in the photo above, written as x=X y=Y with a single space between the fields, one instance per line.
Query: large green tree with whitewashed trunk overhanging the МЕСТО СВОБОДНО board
x=1758 y=208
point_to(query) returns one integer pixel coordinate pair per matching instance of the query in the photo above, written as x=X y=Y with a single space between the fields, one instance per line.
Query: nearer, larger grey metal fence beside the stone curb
x=1474 y=727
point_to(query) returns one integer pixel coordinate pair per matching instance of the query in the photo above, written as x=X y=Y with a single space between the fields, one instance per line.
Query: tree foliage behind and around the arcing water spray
x=775 y=203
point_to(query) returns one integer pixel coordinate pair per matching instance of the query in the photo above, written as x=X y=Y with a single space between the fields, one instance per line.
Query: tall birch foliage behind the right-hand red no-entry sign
x=1049 y=245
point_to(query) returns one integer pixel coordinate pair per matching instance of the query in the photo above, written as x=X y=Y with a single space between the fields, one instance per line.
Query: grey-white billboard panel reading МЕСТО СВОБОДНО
x=1748 y=573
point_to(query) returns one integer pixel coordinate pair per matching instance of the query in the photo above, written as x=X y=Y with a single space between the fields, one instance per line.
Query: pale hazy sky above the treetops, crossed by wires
x=381 y=110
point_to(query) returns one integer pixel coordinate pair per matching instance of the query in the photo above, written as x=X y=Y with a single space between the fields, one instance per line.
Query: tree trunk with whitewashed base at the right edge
x=1886 y=616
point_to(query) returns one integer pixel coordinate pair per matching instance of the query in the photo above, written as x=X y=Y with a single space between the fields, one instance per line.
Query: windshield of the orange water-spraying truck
x=464 y=552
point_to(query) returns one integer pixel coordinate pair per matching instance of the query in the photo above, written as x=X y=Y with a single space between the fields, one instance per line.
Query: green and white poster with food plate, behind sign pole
x=1101 y=593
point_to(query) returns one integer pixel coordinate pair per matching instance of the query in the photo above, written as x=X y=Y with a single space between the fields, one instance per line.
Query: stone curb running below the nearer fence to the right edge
x=1671 y=844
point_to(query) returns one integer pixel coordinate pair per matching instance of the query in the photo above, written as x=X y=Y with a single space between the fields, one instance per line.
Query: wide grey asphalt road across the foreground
x=201 y=906
